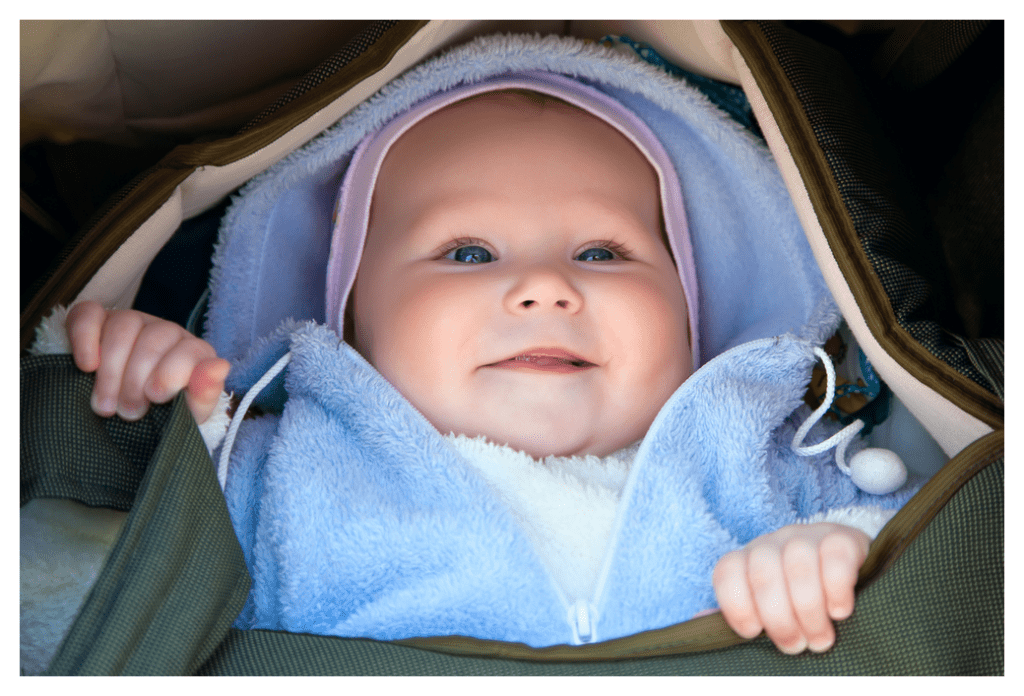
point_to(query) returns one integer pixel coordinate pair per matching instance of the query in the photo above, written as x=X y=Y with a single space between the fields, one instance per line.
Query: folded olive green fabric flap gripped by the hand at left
x=177 y=579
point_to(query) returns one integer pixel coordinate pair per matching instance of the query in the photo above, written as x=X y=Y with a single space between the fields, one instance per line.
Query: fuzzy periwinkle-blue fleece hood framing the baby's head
x=756 y=275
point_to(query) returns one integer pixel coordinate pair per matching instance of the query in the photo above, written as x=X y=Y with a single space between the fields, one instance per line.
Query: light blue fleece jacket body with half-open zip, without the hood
x=359 y=518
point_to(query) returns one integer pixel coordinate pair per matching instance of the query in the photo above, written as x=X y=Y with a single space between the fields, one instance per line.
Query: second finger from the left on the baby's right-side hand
x=772 y=598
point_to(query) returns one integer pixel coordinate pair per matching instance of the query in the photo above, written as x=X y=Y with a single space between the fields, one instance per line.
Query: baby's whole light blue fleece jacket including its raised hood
x=358 y=518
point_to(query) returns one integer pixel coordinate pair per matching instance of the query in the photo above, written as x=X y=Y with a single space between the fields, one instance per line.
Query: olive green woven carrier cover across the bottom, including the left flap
x=176 y=580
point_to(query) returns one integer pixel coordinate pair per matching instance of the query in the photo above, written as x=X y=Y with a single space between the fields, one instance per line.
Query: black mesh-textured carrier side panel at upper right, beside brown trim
x=877 y=191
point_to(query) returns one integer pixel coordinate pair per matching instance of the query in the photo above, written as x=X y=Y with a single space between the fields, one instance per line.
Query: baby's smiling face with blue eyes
x=515 y=283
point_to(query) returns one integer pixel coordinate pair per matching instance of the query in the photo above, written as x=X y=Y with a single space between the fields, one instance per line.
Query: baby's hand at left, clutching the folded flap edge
x=142 y=360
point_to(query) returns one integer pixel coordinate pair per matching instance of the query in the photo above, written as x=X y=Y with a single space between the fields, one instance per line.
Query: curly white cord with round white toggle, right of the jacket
x=873 y=470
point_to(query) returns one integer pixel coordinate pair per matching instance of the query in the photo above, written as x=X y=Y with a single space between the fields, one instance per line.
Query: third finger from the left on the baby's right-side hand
x=800 y=562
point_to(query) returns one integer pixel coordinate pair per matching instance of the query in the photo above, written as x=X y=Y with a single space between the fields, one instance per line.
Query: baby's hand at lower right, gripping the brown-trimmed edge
x=792 y=584
